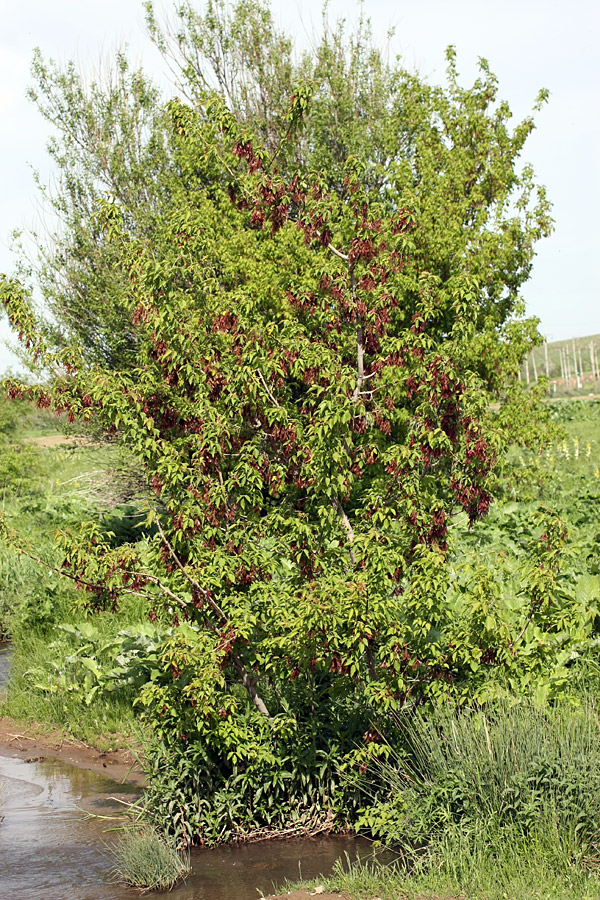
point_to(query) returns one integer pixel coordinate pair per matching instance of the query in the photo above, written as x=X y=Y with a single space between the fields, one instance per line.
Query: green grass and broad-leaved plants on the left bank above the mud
x=67 y=670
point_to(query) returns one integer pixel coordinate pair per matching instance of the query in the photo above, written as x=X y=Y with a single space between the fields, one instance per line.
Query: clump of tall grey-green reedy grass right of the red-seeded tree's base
x=511 y=767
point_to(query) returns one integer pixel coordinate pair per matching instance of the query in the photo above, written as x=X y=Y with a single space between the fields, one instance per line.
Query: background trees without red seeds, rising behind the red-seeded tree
x=448 y=153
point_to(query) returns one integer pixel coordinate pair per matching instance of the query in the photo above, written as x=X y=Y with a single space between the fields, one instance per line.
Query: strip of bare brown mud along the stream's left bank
x=32 y=742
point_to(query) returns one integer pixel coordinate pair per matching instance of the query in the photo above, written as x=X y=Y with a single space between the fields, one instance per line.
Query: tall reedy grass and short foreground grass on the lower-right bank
x=501 y=803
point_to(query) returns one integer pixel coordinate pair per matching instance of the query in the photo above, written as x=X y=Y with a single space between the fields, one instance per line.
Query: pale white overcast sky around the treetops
x=529 y=44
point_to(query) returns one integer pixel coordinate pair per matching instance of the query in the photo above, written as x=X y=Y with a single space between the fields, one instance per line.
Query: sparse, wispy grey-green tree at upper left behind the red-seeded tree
x=112 y=138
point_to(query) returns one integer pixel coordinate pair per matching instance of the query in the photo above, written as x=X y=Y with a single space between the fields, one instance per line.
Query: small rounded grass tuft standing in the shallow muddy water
x=145 y=860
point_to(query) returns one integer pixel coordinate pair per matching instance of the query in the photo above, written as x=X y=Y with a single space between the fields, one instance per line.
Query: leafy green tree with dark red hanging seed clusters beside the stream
x=308 y=412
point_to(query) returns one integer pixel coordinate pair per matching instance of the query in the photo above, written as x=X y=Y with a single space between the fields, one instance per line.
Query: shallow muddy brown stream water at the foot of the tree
x=50 y=851
